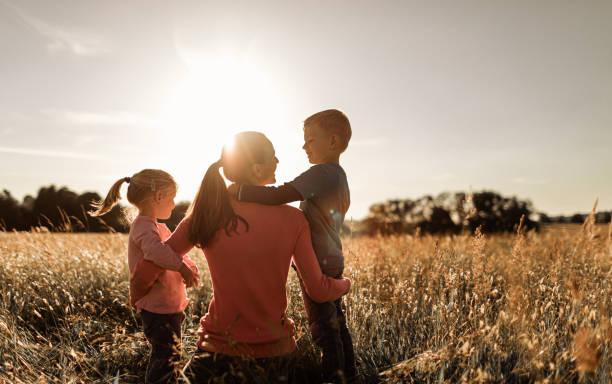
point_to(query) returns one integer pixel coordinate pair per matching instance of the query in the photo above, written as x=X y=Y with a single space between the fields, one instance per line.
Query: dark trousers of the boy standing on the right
x=329 y=331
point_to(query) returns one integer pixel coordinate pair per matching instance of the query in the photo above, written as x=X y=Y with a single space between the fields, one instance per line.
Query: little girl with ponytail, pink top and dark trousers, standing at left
x=162 y=302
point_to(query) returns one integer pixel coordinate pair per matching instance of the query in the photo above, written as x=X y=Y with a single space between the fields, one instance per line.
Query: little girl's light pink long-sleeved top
x=167 y=290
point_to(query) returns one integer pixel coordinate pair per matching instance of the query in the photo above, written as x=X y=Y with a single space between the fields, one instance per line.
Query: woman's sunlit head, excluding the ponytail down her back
x=249 y=159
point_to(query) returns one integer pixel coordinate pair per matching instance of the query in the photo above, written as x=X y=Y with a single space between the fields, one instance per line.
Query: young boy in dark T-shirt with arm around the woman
x=324 y=195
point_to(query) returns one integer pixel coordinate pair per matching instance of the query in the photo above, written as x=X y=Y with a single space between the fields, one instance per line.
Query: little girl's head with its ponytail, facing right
x=152 y=191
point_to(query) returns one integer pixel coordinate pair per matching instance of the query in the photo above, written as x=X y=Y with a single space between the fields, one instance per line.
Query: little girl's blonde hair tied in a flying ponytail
x=142 y=187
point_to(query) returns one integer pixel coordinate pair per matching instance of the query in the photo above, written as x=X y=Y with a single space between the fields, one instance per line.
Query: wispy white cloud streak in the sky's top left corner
x=77 y=42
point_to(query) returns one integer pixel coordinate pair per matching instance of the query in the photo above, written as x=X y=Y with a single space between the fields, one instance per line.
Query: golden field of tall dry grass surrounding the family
x=504 y=308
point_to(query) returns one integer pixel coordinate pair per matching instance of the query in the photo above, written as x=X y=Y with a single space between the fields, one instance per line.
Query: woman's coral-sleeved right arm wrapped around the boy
x=319 y=287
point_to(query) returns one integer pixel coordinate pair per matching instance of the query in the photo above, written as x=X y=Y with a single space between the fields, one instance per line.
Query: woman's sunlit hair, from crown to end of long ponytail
x=211 y=209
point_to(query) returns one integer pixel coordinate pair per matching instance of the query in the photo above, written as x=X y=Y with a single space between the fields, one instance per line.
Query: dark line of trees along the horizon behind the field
x=62 y=210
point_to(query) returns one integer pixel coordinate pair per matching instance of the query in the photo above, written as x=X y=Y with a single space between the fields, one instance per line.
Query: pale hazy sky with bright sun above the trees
x=511 y=96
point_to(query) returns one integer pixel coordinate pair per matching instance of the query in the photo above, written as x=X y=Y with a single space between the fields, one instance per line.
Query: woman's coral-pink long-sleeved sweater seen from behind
x=246 y=315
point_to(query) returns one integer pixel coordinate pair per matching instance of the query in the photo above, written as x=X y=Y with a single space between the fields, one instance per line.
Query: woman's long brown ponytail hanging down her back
x=211 y=209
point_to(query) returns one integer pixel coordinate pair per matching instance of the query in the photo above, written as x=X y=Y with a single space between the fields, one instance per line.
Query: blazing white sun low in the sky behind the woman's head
x=220 y=96
